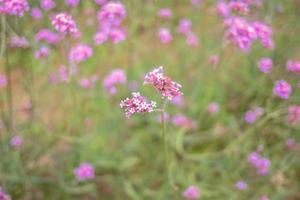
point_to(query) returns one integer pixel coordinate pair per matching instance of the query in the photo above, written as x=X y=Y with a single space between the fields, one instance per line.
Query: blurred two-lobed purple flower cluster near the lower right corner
x=261 y=164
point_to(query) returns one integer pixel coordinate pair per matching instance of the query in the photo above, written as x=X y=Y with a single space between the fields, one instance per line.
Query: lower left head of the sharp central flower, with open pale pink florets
x=137 y=104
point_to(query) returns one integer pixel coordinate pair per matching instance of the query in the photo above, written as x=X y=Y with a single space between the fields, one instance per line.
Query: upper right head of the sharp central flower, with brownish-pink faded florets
x=165 y=85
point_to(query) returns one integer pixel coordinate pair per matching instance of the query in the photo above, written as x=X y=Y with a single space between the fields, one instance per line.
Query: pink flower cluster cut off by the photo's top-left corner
x=14 y=7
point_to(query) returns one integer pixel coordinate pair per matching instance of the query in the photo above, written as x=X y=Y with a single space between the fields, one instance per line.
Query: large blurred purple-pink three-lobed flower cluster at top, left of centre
x=110 y=18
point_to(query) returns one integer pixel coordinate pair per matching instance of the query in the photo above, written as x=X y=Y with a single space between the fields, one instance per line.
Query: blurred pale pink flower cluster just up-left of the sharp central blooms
x=115 y=77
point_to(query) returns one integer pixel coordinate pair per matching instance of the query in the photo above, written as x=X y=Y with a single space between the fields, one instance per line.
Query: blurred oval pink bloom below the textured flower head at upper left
x=80 y=53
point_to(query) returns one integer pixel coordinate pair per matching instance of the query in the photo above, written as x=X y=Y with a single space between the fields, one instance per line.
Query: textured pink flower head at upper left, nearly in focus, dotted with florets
x=64 y=23
